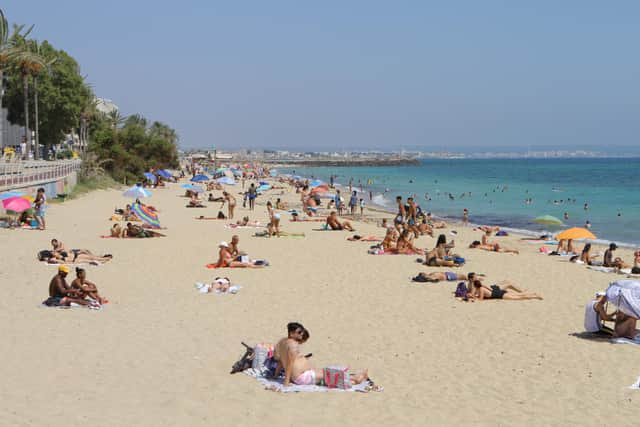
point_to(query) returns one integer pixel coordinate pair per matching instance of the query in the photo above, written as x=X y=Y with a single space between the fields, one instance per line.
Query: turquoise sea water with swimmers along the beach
x=495 y=191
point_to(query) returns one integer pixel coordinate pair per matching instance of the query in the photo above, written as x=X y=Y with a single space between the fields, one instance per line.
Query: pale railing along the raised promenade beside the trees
x=19 y=174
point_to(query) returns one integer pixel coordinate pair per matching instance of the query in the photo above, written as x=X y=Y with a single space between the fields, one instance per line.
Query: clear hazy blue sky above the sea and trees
x=361 y=74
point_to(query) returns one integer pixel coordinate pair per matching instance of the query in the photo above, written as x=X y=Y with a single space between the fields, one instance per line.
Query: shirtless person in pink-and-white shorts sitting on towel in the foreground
x=297 y=368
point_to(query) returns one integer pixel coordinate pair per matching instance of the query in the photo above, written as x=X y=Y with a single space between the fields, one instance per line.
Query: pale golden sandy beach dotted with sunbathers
x=159 y=353
